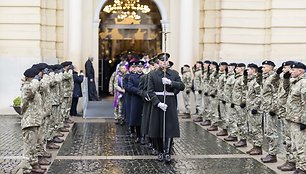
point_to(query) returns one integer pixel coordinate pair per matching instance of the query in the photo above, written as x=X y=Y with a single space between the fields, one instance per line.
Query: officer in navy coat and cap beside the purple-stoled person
x=136 y=99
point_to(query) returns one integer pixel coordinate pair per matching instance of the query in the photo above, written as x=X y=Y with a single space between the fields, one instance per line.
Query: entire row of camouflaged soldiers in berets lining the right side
x=247 y=101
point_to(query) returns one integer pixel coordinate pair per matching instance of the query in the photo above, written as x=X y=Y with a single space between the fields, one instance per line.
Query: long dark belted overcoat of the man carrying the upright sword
x=156 y=120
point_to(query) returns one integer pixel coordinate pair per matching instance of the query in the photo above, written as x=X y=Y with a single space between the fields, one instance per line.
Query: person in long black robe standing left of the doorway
x=90 y=74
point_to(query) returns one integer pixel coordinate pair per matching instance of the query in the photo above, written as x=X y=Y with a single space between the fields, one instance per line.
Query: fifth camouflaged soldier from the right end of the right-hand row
x=238 y=110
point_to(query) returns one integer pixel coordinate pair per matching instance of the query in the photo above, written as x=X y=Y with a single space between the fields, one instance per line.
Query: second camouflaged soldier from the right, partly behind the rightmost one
x=283 y=91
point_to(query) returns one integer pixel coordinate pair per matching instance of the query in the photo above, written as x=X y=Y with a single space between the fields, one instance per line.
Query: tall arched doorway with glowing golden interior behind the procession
x=119 y=36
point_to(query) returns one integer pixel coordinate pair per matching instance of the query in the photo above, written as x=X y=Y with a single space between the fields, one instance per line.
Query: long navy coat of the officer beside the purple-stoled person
x=136 y=100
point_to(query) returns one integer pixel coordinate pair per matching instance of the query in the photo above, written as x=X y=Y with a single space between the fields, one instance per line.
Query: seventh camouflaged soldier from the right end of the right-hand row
x=222 y=103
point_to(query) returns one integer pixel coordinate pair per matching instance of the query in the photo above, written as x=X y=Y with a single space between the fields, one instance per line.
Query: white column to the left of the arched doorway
x=75 y=32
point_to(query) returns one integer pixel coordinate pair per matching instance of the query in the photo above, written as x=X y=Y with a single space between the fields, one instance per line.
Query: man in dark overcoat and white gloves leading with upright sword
x=156 y=93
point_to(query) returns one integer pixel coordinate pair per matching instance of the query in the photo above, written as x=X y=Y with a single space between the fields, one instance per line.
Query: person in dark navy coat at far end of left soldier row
x=77 y=92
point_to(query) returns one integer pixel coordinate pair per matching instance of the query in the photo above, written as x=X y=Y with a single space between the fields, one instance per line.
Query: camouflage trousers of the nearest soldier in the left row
x=30 y=158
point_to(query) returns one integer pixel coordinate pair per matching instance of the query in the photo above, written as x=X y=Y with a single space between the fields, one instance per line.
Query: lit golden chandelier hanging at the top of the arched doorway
x=127 y=9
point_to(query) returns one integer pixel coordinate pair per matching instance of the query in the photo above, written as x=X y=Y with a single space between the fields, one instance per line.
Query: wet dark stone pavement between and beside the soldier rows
x=100 y=146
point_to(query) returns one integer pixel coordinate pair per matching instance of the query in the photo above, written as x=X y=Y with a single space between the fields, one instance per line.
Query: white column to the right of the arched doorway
x=186 y=54
